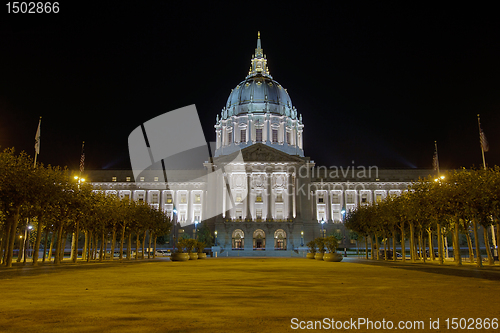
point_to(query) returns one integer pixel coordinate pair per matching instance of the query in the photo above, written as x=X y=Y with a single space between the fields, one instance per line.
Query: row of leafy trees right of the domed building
x=456 y=203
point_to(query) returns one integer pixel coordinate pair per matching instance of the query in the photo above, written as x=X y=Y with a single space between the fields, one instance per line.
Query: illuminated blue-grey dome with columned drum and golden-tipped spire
x=259 y=110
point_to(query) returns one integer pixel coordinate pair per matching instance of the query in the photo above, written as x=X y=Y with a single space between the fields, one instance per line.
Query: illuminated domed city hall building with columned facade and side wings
x=275 y=199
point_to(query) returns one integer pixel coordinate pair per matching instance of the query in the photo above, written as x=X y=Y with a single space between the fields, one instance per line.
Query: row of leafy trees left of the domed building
x=55 y=206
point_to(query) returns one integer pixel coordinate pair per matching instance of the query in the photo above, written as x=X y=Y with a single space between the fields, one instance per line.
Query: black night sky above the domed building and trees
x=376 y=83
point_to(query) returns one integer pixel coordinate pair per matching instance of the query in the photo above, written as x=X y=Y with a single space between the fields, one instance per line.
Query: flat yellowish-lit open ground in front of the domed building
x=238 y=295
